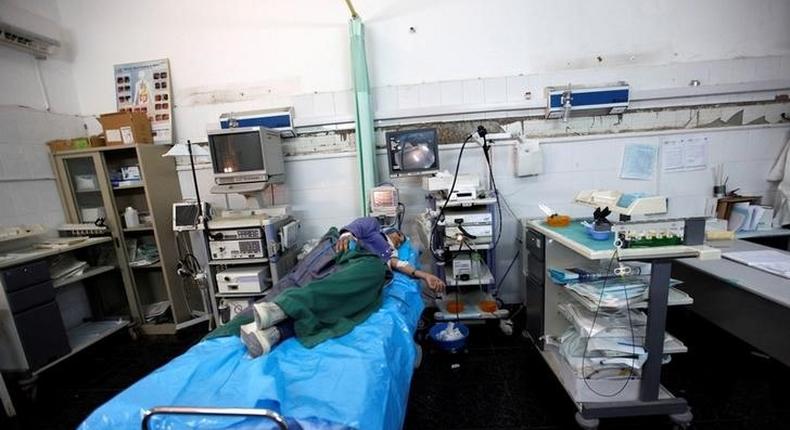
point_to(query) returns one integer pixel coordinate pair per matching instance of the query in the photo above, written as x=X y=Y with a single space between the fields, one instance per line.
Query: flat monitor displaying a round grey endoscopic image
x=413 y=152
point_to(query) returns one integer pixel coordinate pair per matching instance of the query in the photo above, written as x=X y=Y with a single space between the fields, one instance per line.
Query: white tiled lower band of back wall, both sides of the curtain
x=323 y=189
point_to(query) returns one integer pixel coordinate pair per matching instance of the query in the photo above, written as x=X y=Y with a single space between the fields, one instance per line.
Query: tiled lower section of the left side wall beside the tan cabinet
x=28 y=194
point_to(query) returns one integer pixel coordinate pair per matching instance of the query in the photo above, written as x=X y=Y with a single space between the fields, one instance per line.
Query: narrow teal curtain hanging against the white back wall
x=363 y=118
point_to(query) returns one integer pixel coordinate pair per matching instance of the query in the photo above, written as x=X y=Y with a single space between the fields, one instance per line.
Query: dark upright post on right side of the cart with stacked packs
x=656 y=325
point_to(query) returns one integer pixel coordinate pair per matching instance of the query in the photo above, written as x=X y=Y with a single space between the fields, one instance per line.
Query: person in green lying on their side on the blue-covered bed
x=334 y=288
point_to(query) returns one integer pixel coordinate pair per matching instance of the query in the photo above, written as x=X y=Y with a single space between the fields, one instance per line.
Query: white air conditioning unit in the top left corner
x=27 y=32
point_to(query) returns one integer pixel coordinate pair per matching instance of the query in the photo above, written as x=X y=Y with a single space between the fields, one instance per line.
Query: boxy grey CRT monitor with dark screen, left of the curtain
x=246 y=155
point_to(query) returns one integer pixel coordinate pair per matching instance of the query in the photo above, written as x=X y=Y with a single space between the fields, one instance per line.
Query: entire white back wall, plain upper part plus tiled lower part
x=231 y=56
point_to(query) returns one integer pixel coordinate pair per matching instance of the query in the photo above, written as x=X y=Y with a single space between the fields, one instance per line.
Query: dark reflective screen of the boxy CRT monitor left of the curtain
x=236 y=152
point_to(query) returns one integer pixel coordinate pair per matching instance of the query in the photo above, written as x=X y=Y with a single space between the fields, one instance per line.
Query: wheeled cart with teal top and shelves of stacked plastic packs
x=566 y=247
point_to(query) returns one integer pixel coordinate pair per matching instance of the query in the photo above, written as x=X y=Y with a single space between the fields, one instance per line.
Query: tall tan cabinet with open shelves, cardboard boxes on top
x=99 y=184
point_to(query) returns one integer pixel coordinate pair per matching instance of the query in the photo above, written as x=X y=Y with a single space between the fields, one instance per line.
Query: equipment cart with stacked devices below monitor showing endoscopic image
x=469 y=290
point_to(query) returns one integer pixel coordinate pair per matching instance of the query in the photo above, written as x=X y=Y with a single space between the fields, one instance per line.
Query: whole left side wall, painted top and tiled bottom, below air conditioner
x=27 y=187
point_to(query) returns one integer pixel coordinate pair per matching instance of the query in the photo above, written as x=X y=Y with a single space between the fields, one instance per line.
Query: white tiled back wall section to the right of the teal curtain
x=587 y=163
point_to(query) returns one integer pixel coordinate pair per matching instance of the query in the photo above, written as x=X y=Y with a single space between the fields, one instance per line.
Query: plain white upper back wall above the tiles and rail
x=240 y=55
